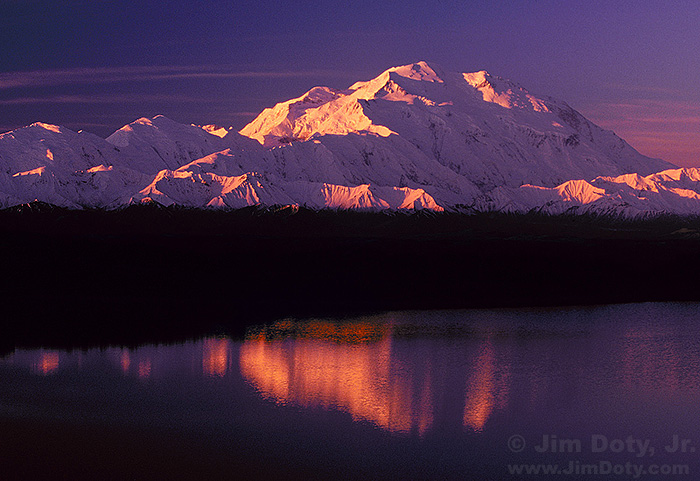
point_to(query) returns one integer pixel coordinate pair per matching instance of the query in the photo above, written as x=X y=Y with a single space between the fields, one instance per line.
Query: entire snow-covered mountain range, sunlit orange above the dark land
x=415 y=137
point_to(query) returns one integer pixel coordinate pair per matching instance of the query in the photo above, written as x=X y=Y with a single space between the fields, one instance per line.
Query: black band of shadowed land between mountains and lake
x=147 y=273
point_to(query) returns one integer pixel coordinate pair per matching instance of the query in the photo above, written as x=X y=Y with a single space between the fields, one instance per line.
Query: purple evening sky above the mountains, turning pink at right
x=630 y=66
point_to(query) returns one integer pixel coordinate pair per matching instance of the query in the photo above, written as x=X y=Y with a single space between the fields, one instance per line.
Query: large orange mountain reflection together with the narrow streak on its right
x=367 y=370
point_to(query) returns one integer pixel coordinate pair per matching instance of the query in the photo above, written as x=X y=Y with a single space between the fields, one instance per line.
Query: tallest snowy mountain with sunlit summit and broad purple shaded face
x=486 y=131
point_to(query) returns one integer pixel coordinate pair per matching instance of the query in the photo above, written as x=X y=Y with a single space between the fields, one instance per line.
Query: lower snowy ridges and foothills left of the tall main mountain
x=79 y=170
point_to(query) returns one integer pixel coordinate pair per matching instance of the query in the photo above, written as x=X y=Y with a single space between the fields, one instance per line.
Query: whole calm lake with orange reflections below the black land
x=425 y=395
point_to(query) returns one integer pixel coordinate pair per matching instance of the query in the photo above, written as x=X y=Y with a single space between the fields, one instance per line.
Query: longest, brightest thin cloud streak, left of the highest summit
x=46 y=78
